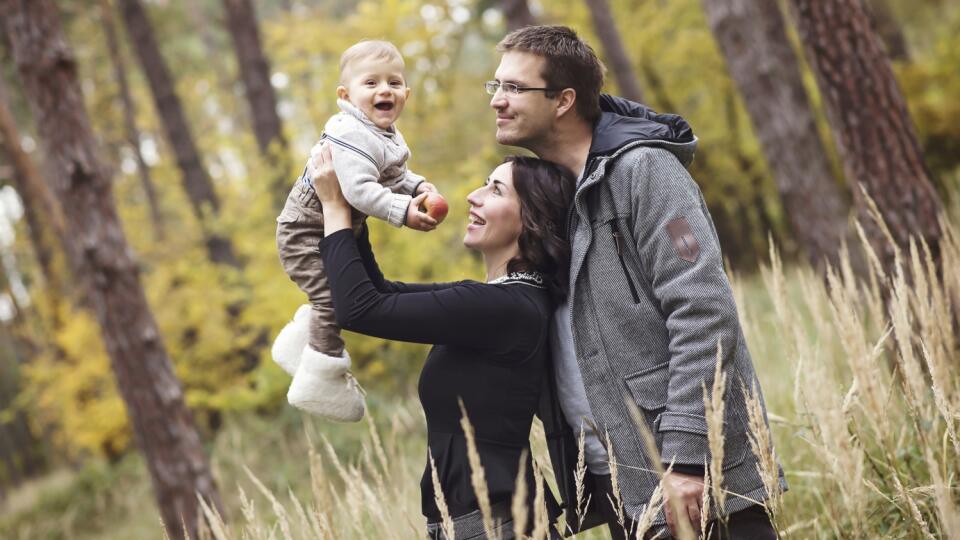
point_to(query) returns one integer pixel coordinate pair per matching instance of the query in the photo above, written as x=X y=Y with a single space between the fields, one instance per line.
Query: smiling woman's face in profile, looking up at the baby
x=494 y=214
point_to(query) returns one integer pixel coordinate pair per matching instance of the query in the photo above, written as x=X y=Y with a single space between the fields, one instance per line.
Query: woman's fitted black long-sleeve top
x=490 y=349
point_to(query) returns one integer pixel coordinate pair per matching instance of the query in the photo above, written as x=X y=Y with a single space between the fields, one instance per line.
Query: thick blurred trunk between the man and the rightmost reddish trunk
x=752 y=37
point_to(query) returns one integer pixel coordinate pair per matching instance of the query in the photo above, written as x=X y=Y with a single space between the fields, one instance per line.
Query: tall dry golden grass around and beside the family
x=860 y=379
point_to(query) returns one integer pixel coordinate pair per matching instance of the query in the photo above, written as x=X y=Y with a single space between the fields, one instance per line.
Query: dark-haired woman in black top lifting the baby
x=490 y=339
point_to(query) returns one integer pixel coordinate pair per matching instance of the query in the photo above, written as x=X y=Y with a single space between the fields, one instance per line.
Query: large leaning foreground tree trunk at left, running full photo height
x=162 y=425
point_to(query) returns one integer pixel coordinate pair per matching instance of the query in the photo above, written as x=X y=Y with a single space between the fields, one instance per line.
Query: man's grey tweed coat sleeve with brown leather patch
x=681 y=259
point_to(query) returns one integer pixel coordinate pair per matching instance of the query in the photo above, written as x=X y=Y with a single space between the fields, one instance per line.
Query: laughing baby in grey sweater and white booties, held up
x=369 y=156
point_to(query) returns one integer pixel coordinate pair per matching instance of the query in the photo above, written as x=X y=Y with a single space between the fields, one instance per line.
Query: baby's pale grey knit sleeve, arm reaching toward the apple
x=358 y=161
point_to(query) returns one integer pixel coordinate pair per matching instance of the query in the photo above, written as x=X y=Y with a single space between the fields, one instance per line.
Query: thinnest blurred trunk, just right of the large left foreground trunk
x=129 y=118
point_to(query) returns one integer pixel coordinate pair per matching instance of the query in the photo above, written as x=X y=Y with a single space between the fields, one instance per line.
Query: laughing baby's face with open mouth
x=377 y=88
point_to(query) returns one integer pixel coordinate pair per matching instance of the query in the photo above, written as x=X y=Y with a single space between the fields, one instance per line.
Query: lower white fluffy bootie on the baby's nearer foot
x=324 y=386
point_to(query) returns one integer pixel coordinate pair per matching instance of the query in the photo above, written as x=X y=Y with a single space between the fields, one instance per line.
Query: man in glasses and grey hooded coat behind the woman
x=649 y=301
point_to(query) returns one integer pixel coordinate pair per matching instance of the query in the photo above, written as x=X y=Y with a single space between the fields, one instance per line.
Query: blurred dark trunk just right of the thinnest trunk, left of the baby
x=197 y=184
